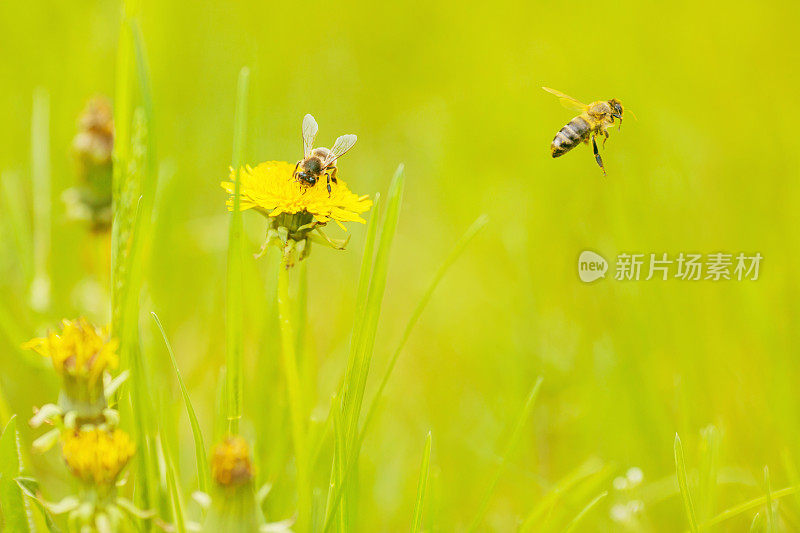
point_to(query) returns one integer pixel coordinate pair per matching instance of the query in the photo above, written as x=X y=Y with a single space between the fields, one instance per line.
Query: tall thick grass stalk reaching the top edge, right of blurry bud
x=135 y=180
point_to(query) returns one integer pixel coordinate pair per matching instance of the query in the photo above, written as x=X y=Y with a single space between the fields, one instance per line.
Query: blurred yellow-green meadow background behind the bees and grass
x=452 y=90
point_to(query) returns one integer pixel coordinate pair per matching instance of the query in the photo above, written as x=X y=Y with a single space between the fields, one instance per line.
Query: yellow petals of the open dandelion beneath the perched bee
x=271 y=189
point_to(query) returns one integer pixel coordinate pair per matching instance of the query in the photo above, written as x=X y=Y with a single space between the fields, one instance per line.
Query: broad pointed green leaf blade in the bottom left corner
x=16 y=515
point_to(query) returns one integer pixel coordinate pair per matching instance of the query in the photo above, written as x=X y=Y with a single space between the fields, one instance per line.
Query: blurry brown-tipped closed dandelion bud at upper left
x=92 y=146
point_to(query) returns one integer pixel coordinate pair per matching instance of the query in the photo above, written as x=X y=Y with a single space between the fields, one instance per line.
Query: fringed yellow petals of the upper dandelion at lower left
x=81 y=350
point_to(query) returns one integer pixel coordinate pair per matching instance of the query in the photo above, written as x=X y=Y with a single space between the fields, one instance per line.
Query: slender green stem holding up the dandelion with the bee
x=295 y=392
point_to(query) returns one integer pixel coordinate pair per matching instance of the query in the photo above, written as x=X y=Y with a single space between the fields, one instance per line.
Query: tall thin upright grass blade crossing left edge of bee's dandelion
x=234 y=296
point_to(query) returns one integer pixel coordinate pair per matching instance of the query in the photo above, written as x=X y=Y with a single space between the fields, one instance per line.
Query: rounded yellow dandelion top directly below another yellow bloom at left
x=97 y=457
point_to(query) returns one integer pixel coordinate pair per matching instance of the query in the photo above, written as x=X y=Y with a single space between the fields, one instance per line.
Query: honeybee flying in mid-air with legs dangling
x=594 y=120
